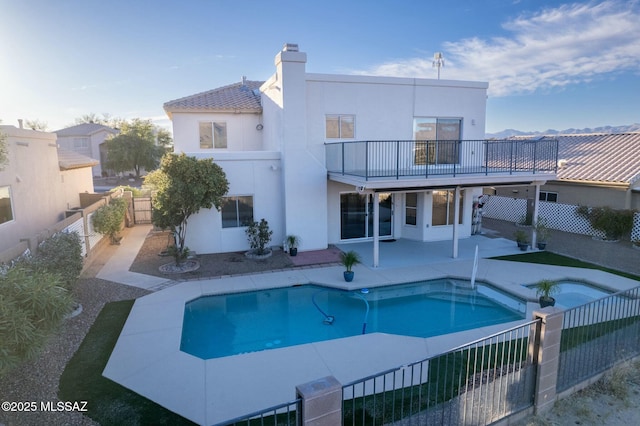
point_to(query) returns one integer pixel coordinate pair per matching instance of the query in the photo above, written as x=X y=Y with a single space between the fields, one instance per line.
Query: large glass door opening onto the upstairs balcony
x=432 y=136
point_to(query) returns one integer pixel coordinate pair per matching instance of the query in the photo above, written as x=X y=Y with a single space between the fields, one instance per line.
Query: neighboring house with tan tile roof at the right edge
x=593 y=169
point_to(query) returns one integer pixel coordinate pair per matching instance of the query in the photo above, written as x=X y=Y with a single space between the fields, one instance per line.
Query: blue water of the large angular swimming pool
x=231 y=324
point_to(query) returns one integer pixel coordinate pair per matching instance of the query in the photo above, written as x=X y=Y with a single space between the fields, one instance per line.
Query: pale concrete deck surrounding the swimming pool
x=147 y=357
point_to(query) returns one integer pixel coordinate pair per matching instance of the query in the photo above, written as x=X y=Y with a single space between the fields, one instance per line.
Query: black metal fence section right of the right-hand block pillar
x=597 y=336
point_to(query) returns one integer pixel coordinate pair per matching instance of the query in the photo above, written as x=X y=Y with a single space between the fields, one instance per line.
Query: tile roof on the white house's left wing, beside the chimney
x=243 y=96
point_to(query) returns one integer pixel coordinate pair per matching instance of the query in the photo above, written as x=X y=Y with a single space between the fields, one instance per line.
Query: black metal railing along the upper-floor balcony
x=400 y=159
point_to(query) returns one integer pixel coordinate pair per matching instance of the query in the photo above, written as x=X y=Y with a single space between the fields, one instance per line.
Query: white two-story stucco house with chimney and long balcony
x=339 y=158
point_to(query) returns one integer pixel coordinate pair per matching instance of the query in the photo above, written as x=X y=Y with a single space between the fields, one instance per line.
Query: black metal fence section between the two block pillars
x=478 y=383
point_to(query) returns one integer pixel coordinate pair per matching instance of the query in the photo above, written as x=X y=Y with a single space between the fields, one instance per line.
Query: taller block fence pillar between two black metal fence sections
x=548 y=357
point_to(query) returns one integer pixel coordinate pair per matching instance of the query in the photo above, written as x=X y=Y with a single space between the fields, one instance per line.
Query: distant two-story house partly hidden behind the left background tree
x=87 y=139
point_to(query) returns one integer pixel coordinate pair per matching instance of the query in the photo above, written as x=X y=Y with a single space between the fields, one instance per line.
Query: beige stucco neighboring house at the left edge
x=39 y=183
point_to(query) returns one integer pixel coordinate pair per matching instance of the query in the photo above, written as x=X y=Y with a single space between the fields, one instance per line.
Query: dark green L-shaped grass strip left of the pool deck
x=108 y=402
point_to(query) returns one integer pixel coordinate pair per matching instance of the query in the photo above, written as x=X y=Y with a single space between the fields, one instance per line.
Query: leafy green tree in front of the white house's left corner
x=182 y=186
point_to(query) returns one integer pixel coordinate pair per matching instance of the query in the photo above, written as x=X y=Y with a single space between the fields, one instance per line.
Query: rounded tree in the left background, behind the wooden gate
x=139 y=145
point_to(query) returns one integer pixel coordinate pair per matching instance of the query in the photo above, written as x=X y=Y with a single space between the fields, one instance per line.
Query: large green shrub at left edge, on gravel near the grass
x=33 y=303
